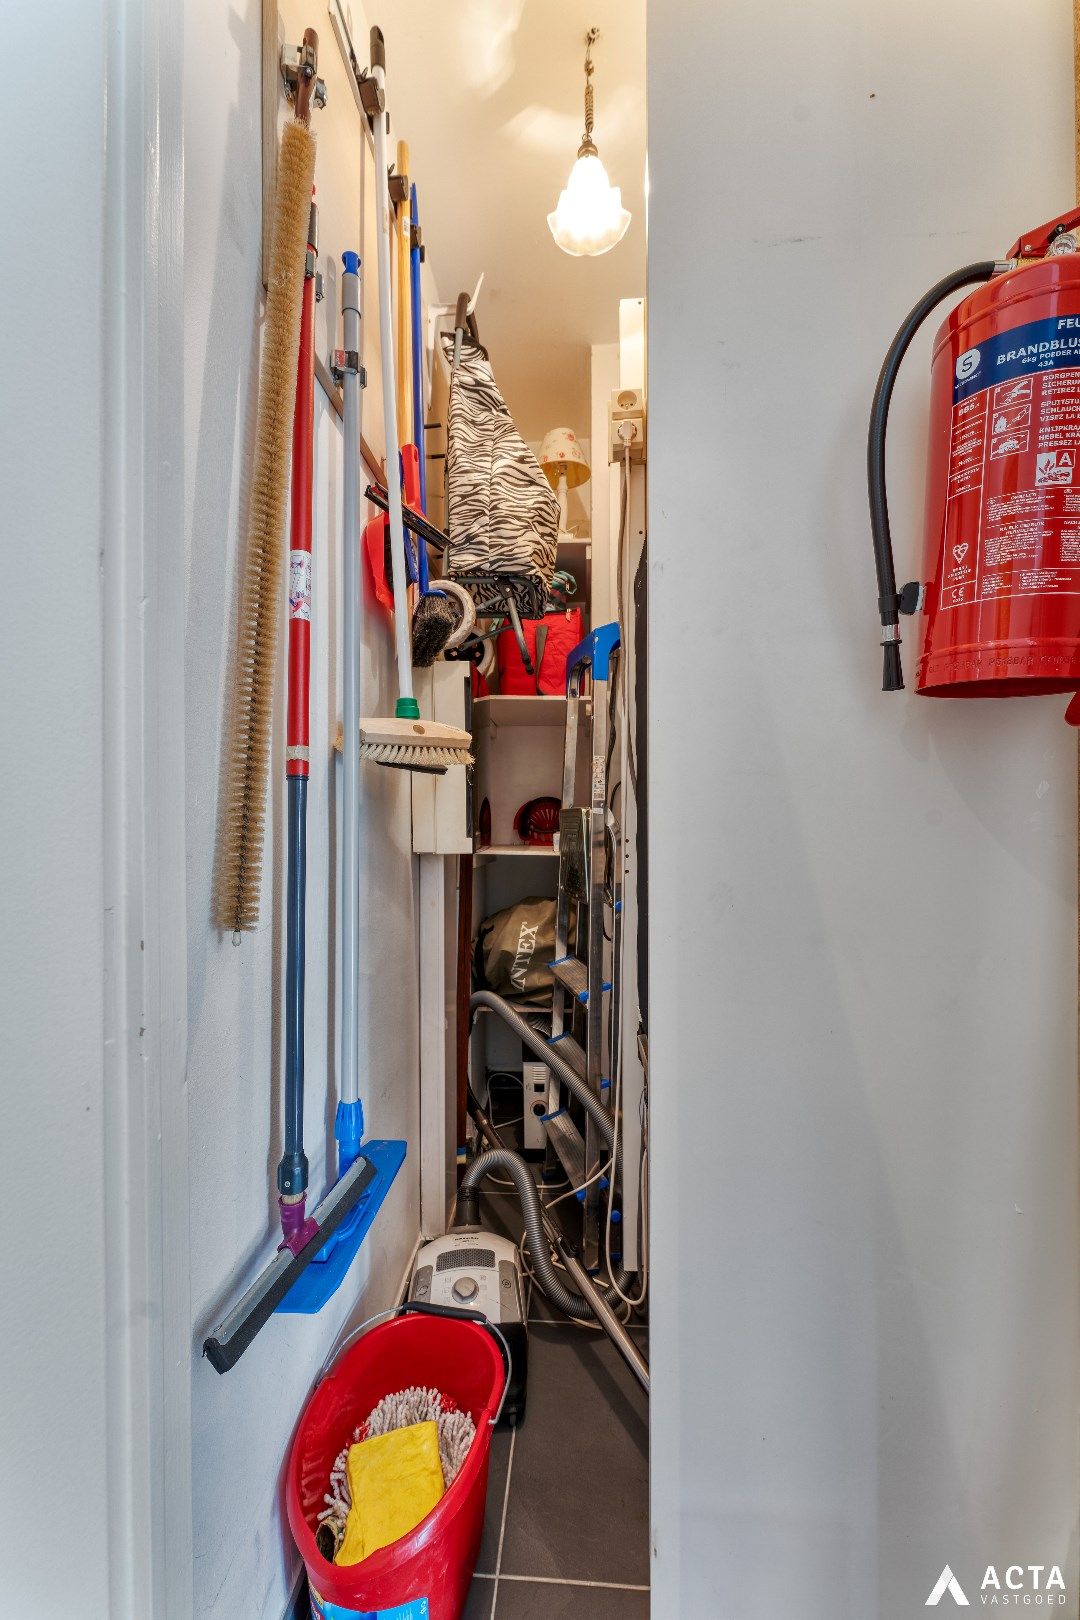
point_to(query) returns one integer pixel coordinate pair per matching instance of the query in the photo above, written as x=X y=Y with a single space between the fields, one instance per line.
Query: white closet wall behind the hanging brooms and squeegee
x=244 y=1423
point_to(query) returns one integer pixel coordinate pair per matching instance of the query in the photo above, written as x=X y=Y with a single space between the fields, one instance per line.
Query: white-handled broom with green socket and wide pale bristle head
x=404 y=741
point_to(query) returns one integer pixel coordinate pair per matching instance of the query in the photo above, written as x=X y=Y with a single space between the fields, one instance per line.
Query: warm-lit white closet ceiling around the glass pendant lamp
x=490 y=96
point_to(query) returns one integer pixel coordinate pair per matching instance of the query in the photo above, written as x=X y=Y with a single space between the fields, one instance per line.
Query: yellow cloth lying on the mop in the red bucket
x=394 y=1481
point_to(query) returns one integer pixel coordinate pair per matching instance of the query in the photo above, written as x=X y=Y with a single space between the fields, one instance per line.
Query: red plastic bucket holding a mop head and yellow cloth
x=427 y=1574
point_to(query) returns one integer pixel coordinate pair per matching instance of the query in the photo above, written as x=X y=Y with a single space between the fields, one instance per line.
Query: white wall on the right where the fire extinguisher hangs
x=862 y=906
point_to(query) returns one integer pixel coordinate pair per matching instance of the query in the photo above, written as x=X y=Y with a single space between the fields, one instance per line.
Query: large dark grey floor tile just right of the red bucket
x=579 y=1491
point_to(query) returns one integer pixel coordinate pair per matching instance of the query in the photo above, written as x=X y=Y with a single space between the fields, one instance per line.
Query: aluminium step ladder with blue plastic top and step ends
x=582 y=1015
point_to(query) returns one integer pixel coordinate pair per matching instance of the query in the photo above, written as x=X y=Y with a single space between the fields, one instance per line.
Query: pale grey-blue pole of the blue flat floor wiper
x=349 y=1081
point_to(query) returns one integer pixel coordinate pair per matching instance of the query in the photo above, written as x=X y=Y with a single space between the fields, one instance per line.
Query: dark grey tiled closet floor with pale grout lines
x=568 y=1499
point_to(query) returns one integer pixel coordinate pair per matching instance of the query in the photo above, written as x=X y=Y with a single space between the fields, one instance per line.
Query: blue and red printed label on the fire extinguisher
x=1013 y=514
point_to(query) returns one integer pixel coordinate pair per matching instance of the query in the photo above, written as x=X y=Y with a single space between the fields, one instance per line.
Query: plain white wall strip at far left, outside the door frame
x=53 y=949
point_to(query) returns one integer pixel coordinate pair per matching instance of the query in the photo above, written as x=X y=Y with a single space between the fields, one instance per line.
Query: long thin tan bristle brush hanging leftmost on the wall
x=244 y=806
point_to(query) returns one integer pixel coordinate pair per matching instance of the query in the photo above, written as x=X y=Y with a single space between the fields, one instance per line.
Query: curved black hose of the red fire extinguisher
x=888 y=599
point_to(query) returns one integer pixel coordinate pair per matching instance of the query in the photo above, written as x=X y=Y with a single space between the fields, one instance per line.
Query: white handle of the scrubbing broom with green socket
x=389 y=390
